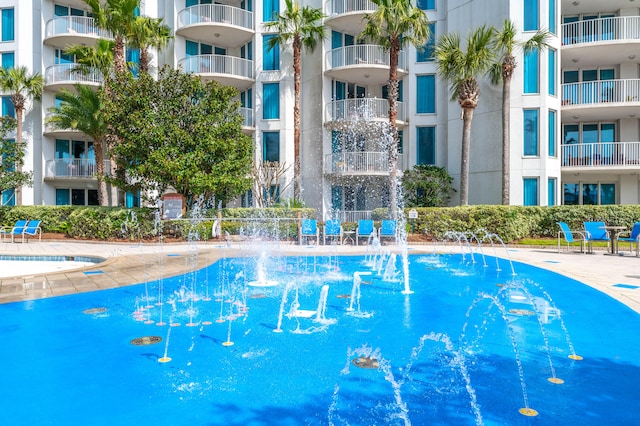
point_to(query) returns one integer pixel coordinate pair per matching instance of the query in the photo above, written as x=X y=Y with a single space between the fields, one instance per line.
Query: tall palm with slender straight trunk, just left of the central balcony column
x=303 y=28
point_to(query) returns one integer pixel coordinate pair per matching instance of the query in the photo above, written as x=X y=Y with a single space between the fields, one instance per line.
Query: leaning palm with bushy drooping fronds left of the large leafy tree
x=82 y=110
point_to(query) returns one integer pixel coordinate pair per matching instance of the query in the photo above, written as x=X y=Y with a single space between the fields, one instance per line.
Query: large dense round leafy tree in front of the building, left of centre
x=178 y=133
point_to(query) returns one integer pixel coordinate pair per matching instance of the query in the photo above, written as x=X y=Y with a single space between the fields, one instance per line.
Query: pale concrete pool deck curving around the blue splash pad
x=132 y=263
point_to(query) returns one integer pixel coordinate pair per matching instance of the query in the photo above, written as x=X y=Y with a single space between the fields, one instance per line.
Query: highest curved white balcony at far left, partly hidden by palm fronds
x=65 y=31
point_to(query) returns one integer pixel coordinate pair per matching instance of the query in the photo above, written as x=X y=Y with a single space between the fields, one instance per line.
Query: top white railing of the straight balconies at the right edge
x=602 y=29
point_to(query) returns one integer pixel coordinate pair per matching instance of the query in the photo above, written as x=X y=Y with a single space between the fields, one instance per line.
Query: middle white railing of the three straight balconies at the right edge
x=601 y=91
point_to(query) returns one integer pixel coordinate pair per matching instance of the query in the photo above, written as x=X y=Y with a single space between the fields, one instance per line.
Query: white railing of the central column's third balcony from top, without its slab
x=363 y=109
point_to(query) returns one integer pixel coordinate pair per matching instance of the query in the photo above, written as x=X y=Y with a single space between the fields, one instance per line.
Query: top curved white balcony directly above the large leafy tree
x=219 y=24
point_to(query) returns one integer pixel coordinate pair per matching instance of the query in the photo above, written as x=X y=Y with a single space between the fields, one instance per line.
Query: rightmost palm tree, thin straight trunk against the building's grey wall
x=503 y=71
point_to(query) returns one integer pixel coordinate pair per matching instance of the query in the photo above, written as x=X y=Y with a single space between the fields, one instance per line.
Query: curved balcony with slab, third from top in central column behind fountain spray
x=345 y=114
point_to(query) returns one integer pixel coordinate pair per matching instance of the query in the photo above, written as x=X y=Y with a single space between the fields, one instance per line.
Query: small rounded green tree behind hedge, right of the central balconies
x=427 y=186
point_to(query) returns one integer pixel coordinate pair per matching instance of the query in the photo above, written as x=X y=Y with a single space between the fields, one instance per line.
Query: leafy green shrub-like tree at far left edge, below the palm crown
x=11 y=159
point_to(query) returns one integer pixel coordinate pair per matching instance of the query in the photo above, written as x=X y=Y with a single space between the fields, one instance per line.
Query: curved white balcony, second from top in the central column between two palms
x=362 y=63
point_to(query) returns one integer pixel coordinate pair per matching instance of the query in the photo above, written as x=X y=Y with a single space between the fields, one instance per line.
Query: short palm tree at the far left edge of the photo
x=22 y=86
